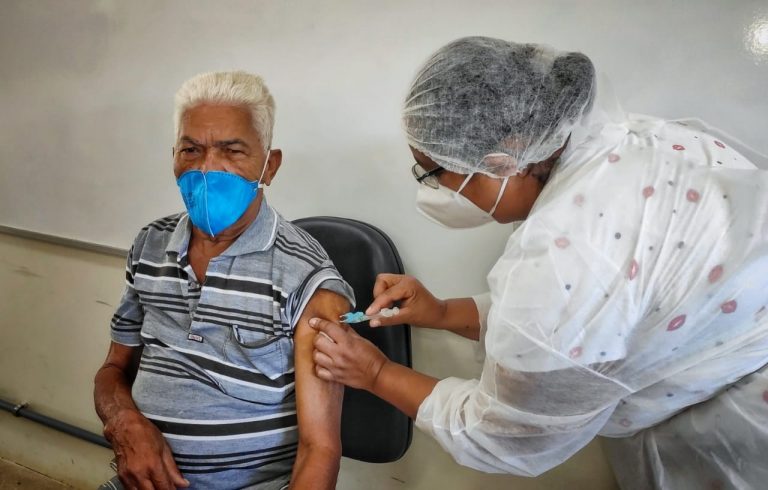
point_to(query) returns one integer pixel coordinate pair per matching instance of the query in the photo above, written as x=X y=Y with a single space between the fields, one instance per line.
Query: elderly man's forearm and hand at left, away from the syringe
x=144 y=459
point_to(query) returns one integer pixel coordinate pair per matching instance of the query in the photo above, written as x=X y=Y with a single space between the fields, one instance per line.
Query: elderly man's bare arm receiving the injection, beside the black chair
x=318 y=402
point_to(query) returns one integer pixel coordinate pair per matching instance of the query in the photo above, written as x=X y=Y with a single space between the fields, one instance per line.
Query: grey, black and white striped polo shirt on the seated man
x=216 y=374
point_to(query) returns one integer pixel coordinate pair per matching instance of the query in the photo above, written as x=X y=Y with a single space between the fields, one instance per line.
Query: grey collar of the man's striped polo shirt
x=259 y=236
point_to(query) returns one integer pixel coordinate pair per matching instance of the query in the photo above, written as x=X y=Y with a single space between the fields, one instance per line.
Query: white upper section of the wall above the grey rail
x=87 y=86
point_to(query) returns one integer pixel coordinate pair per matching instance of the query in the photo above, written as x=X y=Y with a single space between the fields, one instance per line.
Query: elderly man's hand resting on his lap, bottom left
x=144 y=460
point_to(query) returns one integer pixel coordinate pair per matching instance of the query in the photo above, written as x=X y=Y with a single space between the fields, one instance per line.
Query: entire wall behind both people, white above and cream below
x=85 y=134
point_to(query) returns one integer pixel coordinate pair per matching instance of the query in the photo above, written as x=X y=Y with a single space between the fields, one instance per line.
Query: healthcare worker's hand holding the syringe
x=417 y=305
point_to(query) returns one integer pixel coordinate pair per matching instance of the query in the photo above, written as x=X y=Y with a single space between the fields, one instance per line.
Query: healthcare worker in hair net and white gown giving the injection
x=629 y=303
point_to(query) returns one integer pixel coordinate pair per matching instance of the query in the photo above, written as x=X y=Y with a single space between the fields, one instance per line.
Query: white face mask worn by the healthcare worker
x=452 y=210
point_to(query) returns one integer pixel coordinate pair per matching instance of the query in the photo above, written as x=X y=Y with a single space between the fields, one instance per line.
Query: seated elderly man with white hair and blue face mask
x=209 y=378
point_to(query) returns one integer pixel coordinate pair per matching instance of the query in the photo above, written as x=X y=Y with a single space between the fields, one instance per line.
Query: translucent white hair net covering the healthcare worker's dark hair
x=486 y=105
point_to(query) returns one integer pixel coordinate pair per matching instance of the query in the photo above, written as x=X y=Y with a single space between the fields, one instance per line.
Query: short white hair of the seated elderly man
x=235 y=88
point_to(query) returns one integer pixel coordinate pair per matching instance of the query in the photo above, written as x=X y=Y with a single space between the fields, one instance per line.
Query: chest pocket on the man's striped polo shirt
x=263 y=366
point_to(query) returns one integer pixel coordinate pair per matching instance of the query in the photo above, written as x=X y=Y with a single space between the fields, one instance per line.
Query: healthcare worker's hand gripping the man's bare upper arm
x=343 y=356
